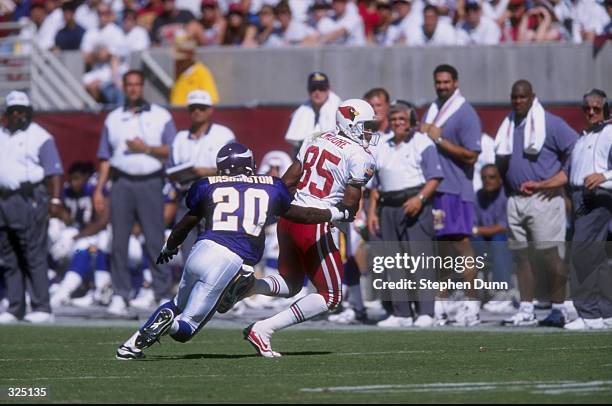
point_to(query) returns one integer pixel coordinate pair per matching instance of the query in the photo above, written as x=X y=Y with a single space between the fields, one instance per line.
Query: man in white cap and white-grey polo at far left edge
x=29 y=157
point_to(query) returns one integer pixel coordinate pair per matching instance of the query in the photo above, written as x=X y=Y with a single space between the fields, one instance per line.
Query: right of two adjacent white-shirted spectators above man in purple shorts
x=477 y=29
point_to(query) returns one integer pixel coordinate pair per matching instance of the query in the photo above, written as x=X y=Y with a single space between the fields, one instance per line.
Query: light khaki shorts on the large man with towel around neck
x=536 y=219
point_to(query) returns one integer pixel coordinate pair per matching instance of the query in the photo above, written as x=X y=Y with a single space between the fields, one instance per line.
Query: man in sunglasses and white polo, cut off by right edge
x=590 y=177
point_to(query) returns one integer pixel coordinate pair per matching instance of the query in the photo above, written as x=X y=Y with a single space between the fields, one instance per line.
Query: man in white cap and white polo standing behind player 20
x=196 y=150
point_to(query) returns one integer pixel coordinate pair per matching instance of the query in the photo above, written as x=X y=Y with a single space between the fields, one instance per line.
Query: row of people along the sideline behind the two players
x=437 y=178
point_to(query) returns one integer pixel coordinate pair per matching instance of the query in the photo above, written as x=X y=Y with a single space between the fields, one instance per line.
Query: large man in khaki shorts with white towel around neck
x=536 y=211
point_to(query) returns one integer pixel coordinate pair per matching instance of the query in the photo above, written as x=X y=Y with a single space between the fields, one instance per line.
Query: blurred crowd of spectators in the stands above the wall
x=107 y=31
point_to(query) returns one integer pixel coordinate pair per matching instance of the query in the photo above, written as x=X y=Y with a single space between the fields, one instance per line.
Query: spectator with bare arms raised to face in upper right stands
x=539 y=24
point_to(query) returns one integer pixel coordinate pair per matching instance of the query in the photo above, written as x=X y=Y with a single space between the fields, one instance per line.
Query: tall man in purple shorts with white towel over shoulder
x=457 y=138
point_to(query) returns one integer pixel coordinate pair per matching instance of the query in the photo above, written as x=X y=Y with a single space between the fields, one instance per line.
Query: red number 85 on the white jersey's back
x=314 y=157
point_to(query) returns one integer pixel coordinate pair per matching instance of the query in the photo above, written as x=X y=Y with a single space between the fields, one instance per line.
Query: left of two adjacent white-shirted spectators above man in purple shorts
x=433 y=32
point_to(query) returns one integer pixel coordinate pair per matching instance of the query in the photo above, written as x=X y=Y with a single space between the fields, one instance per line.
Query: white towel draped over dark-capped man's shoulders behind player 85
x=303 y=123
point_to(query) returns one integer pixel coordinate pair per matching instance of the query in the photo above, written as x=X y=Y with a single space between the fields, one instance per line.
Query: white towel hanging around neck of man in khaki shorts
x=534 y=134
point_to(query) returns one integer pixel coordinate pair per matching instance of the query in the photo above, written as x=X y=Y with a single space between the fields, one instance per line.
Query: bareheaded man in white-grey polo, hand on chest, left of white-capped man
x=133 y=148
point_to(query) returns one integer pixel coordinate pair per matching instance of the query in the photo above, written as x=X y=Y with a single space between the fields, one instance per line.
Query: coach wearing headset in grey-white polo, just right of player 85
x=408 y=171
